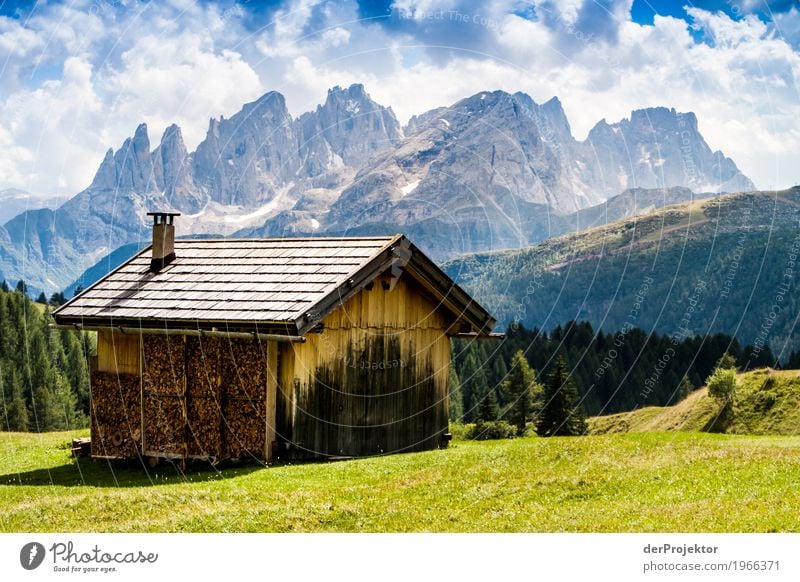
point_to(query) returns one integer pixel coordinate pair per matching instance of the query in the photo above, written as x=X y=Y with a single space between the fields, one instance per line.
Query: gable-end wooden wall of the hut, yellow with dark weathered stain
x=373 y=381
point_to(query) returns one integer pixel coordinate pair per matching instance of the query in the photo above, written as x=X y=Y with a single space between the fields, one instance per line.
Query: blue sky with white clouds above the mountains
x=77 y=77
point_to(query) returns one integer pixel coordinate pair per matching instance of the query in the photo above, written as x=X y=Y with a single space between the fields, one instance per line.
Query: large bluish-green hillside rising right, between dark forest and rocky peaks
x=719 y=264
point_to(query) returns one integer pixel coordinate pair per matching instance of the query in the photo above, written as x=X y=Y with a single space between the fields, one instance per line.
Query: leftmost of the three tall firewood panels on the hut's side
x=164 y=388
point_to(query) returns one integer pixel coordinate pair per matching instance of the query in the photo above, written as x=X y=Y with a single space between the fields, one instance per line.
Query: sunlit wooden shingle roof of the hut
x=267 y=282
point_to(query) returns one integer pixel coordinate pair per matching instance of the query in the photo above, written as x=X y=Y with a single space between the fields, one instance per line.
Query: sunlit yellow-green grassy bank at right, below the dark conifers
x=767 y=402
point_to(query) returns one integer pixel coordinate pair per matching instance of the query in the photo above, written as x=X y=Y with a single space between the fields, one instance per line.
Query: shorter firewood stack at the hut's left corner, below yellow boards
x=116 y=415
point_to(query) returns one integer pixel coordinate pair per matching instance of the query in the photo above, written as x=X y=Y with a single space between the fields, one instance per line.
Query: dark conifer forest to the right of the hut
x=613 y=372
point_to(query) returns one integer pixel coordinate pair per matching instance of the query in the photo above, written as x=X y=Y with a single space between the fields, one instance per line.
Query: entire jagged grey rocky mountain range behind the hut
x=492 y=171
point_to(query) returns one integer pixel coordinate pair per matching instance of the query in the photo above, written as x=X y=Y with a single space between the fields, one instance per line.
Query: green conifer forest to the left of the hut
x=43 y=371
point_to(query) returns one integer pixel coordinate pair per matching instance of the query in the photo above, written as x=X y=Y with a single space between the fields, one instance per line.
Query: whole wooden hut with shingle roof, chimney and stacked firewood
x=300 y=348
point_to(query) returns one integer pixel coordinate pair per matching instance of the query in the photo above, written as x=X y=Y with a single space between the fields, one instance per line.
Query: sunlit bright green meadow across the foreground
x=623 y=482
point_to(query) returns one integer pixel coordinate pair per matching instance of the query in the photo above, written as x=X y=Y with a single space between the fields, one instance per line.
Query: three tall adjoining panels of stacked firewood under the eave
x=205 y=397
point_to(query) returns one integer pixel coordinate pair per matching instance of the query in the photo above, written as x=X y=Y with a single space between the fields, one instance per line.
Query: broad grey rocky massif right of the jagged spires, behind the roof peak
x=496 y=170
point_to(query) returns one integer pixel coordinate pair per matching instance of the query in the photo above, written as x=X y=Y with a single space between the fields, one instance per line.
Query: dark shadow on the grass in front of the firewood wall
x=98 y=473
